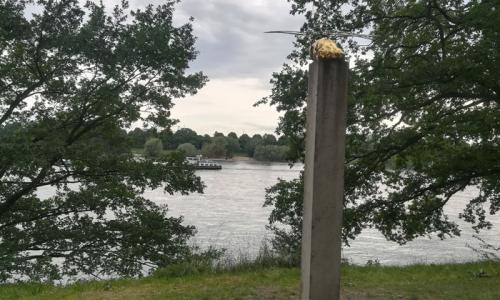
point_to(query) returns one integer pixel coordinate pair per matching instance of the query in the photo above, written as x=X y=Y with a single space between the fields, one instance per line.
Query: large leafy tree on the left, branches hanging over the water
x=71 y=78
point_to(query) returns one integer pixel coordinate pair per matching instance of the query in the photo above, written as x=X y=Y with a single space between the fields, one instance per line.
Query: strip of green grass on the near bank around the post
x=453 y=281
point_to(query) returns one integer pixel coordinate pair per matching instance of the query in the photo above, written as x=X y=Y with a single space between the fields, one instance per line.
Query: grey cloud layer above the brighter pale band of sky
x=231 y=37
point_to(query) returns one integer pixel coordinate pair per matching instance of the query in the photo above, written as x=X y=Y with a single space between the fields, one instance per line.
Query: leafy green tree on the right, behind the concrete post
x=427 y=99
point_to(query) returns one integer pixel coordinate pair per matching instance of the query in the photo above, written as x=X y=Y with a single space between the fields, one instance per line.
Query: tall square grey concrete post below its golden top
x=324 y=179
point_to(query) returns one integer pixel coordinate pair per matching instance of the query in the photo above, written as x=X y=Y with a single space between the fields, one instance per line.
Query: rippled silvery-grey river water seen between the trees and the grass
x=230 y=215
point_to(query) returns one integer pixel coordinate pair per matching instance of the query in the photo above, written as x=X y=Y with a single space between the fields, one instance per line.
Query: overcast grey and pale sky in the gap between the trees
x=239 y=59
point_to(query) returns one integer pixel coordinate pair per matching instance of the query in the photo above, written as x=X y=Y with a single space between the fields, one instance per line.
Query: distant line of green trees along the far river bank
x=265 y=147
